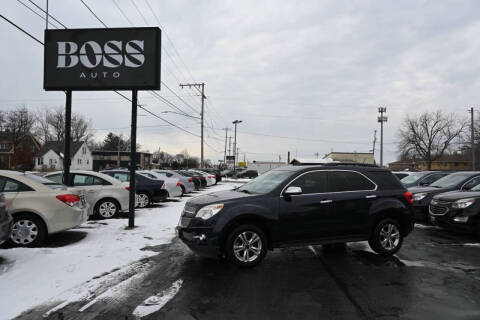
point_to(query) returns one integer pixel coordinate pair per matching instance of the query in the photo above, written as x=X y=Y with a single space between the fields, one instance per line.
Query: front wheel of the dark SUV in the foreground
x=241 y=237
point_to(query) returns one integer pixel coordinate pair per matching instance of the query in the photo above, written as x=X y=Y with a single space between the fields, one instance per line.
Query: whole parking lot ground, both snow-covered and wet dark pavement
x=147 y=273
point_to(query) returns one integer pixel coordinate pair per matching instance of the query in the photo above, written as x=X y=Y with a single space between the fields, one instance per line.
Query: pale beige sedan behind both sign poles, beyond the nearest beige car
x=105 y=195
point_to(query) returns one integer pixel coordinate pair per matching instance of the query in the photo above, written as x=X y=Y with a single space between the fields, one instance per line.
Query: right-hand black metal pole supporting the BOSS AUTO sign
x=133 y=158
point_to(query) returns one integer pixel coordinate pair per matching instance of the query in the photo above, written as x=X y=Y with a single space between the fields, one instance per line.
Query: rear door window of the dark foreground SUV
x=339 y=181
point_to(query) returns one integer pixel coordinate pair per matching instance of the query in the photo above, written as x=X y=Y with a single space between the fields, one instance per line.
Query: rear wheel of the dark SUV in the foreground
x=386 y=238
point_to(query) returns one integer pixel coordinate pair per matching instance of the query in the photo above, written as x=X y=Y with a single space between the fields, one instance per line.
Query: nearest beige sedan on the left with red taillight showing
x=40 y=207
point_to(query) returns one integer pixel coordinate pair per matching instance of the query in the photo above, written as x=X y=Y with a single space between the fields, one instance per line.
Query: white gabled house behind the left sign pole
x=50 y=157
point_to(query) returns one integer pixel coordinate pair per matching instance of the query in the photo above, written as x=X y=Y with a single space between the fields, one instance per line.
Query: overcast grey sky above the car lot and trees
x=304 y=76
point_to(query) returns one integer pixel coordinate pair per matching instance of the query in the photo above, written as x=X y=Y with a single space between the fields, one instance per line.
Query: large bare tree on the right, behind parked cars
x=429 y=135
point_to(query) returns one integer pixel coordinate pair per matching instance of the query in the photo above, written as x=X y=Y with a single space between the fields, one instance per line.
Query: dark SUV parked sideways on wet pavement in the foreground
x=299 y=205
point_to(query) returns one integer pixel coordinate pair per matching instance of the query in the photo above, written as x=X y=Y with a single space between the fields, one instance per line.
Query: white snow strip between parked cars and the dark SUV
x=33 y=276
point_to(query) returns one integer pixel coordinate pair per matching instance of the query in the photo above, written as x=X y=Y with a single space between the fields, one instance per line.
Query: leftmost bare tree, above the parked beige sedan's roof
x=18 y=123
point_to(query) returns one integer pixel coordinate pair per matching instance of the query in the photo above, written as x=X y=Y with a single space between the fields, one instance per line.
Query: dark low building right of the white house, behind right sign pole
x=111 y=159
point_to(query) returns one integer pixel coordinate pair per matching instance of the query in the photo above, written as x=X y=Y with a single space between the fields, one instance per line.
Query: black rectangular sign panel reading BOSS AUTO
x=102 y=59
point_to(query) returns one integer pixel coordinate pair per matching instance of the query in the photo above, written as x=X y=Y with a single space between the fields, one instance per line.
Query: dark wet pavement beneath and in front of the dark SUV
x=436 y=275
